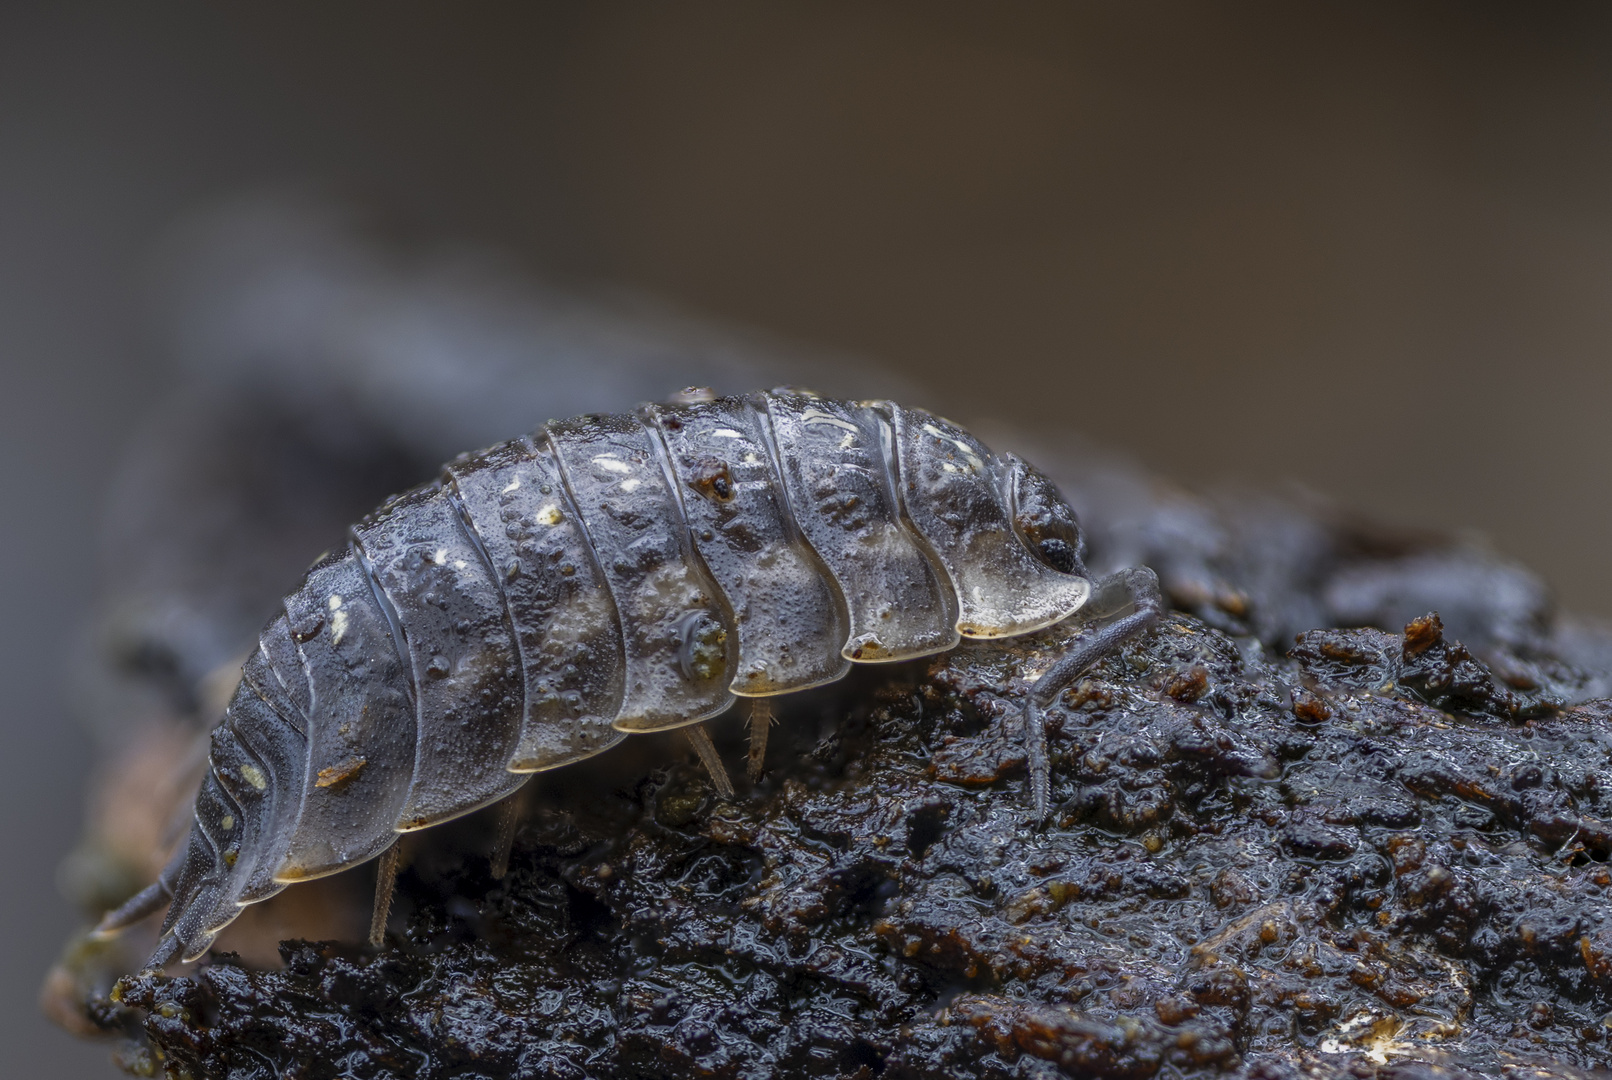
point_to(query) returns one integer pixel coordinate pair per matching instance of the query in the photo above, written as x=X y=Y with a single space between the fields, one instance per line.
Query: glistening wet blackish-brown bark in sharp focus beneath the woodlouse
x=1371 y=858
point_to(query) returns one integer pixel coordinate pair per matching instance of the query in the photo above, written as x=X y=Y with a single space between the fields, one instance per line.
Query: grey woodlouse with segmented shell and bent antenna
x=613 y=575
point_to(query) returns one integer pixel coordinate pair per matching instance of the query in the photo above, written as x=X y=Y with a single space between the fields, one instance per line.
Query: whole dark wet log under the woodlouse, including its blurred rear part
x=1305 y=829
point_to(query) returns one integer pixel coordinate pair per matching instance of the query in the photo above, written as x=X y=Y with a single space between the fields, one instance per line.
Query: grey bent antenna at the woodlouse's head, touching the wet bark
x=1136 y=588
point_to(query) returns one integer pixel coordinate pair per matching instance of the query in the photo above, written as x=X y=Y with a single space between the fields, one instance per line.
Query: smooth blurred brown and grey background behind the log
x=1366 y=249
